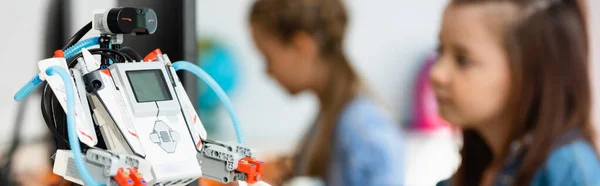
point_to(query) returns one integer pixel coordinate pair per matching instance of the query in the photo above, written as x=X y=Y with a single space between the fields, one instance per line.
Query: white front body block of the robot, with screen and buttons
x=155 y=130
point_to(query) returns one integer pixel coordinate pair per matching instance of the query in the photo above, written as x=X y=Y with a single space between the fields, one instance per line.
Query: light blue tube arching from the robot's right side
x=184 y=65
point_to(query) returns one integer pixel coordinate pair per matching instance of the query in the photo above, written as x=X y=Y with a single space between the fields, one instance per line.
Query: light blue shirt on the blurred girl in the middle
x=368 y=148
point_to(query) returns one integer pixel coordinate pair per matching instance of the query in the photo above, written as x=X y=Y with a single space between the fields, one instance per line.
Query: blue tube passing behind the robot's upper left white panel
x=36 y=80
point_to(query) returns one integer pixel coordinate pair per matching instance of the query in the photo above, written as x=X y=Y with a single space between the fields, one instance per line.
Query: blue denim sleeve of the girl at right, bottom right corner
x=575 y=164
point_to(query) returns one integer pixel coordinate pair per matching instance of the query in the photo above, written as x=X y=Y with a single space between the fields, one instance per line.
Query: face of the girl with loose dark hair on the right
x=471 y=77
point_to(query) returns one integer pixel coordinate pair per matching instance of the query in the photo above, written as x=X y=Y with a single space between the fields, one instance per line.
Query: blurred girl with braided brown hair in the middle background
x=352 y=142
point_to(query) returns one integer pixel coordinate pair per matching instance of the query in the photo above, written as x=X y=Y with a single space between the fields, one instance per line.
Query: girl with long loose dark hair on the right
x=514 y=75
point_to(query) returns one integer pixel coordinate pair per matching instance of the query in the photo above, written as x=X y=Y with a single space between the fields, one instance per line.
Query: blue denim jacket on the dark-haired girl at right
x=574 y=163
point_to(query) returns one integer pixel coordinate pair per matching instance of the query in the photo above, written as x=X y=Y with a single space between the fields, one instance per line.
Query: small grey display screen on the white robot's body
x=148 y=85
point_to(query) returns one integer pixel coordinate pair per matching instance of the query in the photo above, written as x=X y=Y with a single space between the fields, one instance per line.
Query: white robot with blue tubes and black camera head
x=132 y=116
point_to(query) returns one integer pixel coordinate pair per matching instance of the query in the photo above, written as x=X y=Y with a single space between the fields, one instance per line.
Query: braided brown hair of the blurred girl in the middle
x=326 y=21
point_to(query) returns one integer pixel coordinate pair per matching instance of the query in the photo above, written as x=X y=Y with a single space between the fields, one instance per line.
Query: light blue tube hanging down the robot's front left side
x=73 y=139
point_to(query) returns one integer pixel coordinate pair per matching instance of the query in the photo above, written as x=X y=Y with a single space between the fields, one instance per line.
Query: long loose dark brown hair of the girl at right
x=547 y=46
